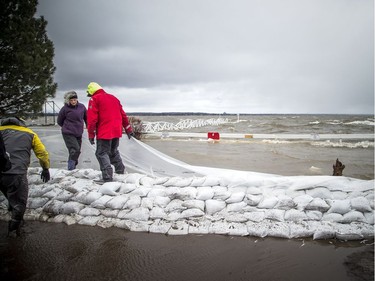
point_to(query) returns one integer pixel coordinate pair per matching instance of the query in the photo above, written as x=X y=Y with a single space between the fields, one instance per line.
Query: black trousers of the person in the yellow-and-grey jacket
x=16 y=189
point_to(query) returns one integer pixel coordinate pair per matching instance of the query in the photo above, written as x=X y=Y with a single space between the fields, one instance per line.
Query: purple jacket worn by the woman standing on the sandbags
x=71 y=119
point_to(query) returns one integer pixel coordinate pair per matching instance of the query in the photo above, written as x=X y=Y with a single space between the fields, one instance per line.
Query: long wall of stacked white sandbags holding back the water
x=321 y=207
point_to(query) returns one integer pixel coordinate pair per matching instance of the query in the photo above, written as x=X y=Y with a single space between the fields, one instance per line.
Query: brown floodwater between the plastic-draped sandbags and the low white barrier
x=291 y=159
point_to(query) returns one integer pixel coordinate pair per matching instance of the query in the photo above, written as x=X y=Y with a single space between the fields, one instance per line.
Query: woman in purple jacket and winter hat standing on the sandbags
x=71 y=119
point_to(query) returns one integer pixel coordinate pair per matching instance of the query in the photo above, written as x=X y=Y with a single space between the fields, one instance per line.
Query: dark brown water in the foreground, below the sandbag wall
x=50 y=251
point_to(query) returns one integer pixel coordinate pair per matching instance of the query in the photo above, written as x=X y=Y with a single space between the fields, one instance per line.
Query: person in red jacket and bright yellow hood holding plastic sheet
x=105 y=120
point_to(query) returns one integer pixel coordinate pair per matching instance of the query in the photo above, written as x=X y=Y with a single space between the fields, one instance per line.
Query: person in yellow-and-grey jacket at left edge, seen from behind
x=19 y=141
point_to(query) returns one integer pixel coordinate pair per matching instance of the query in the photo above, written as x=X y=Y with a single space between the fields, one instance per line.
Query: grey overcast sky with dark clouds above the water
x=237 y=56
